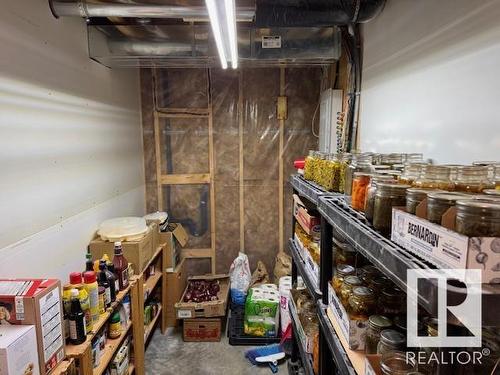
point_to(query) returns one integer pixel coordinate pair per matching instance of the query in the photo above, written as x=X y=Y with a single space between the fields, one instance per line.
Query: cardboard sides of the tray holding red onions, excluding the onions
x=189 y=310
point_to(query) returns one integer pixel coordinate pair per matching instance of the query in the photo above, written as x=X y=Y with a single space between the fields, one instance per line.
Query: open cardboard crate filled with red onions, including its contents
x=205 y=296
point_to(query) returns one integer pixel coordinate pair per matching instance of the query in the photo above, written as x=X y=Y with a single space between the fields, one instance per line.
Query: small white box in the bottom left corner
x=18 y=350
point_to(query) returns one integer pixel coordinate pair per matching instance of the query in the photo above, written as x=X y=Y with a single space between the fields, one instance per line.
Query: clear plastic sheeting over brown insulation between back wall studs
x=249 y=95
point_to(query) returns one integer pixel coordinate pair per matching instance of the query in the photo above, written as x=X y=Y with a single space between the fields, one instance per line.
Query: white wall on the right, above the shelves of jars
x=431 y=81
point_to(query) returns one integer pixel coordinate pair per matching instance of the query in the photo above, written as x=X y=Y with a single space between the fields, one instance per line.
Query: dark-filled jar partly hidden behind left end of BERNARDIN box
x=386 y=197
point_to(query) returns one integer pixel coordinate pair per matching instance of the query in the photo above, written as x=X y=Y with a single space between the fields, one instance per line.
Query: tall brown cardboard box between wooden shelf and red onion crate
x=174 y=285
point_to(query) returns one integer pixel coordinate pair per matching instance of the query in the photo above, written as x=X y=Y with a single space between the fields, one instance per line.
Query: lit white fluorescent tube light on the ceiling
x=222 y=14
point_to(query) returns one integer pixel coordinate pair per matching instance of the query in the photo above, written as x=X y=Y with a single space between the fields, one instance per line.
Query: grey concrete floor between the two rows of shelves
x=169 y=355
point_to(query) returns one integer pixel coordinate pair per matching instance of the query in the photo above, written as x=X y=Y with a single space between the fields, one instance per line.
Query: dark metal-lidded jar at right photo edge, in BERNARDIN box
x=478 y=218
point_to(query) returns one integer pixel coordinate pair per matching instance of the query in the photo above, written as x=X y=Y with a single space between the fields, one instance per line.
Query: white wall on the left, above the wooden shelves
x=70 y=141
